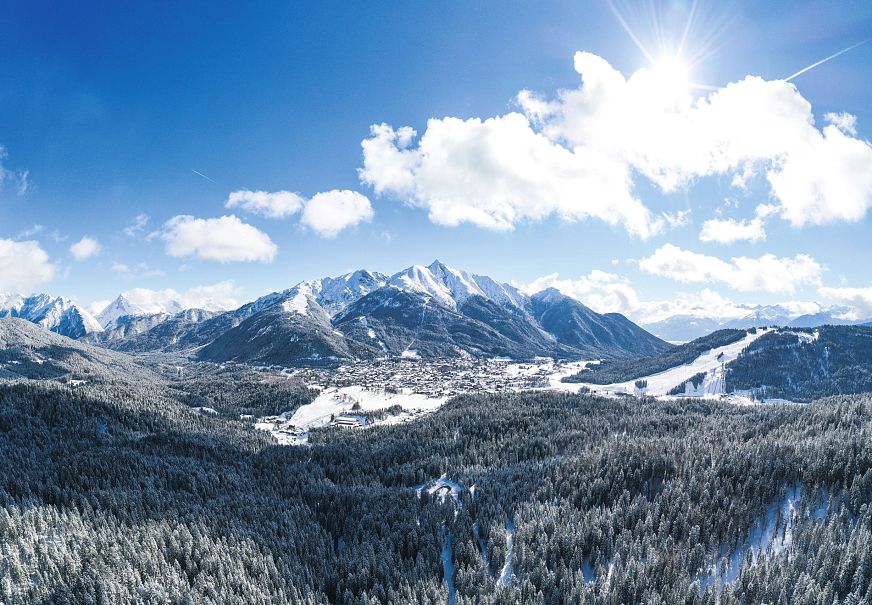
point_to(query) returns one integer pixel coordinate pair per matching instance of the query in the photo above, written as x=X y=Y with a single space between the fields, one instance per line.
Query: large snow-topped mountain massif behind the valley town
x=432 y=311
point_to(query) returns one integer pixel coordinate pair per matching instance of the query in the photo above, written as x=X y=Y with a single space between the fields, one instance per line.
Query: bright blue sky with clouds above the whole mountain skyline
x=106 y=112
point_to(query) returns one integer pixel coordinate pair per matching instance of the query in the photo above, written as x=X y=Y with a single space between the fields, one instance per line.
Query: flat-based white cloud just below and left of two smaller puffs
x=225 y=239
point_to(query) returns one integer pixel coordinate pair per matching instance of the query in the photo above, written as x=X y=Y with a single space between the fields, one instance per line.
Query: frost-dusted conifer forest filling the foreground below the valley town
x=123 y=494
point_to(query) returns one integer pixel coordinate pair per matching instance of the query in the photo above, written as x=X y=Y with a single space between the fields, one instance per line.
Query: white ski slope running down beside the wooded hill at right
x=710 y=363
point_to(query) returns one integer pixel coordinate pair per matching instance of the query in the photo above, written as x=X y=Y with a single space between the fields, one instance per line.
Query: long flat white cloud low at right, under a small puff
x=767 y=273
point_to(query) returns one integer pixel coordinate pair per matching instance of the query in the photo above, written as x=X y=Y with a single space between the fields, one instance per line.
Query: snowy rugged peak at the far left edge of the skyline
x=58 y=314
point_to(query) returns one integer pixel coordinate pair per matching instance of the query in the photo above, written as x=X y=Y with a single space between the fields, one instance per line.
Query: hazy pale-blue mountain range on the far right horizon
x=684 y=328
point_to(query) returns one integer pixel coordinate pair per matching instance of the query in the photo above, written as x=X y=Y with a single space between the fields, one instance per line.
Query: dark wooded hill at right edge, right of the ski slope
x=804 y=364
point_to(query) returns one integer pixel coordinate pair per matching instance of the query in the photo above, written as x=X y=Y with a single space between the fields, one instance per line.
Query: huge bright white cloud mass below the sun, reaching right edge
x=576 y=156
